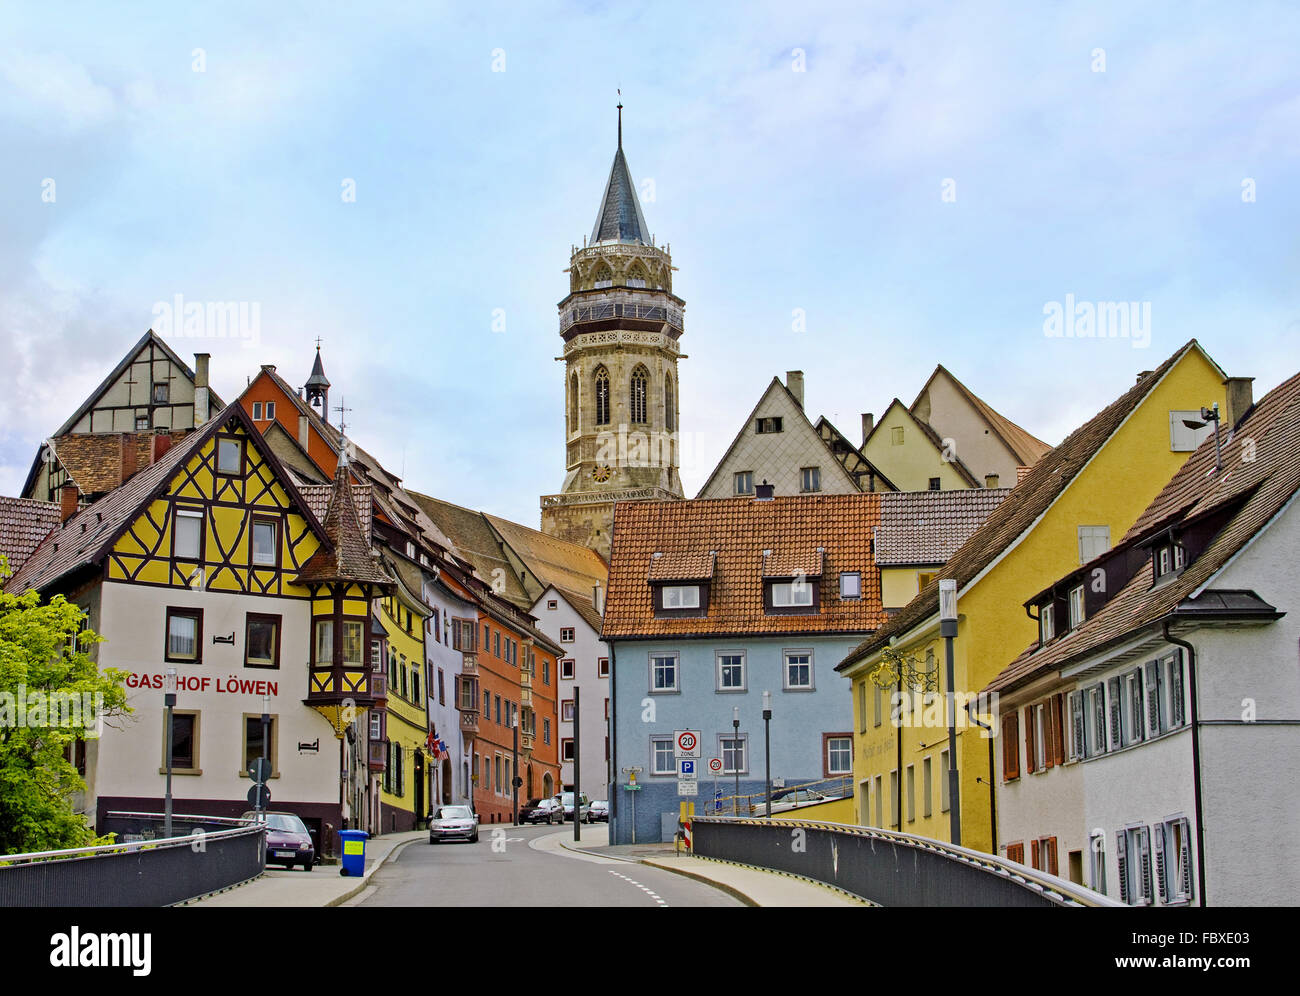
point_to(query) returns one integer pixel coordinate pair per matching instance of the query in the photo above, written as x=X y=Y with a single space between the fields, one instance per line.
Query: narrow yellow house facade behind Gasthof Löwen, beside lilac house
x=404 y=798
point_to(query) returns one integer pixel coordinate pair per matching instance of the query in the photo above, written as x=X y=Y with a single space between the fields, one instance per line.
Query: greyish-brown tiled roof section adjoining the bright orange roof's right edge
x=921 y=529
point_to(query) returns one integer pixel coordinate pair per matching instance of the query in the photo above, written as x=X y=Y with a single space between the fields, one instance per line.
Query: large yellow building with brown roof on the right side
x=1076 y=501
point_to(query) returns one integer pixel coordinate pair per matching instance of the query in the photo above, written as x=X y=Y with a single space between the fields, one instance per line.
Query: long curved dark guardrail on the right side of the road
x=886 y=868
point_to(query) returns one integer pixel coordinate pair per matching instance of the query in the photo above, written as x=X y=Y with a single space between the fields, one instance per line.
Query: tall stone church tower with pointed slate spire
x=621 y=326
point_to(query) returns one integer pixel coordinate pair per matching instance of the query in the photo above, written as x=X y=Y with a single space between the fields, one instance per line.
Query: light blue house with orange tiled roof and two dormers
x=710 y=605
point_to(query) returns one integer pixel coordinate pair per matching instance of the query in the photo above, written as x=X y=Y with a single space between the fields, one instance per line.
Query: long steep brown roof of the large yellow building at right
x=1021 y=510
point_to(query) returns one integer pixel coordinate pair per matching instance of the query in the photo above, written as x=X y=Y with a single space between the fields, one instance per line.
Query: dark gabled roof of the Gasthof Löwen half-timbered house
x=88 y=536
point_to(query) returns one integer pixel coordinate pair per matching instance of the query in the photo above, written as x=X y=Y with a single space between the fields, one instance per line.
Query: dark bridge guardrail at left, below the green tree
x=146 y=873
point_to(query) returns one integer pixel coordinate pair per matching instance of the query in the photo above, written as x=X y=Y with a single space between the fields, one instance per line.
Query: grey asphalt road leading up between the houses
x=526 y=867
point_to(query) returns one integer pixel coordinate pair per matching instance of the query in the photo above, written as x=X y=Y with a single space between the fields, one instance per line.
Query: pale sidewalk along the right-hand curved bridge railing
x=752 y=886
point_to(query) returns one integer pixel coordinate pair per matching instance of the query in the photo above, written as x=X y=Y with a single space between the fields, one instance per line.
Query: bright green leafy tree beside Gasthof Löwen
x=47 y=678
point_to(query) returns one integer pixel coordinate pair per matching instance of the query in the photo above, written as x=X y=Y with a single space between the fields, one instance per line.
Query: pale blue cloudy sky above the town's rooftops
x=855 y=190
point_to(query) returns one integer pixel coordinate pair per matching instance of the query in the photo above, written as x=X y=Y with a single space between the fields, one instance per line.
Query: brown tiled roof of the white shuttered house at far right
x=1259 y=488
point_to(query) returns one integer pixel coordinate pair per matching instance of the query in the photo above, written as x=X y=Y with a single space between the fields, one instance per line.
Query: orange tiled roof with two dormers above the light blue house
x=739 y=530
